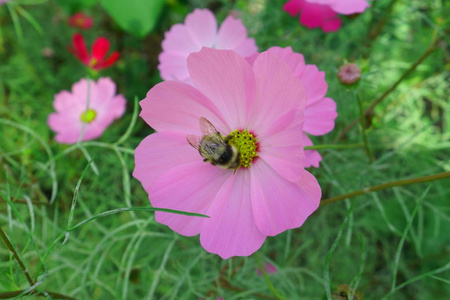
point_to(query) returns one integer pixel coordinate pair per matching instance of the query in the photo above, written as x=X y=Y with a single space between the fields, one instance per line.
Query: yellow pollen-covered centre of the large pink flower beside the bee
x=246 y=145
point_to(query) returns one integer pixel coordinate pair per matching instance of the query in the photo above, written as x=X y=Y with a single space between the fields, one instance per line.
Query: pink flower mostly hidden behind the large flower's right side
x=320 y=112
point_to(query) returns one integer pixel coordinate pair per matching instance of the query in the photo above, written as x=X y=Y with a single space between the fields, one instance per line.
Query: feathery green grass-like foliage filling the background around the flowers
x=391 y=244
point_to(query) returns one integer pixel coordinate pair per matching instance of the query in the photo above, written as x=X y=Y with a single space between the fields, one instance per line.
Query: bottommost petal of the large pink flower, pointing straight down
x=231 y=230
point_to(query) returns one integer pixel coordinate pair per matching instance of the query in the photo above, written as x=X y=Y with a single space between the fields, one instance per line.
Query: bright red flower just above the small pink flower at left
x=96 y=60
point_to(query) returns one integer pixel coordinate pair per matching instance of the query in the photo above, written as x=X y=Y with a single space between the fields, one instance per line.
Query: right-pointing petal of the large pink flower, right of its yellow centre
x=282 y=147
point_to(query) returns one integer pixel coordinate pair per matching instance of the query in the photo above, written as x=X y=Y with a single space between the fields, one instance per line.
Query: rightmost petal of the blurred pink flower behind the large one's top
x=232 y=35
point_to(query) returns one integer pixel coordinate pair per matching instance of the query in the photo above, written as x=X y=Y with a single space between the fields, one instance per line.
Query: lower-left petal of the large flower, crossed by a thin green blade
x=189 y=187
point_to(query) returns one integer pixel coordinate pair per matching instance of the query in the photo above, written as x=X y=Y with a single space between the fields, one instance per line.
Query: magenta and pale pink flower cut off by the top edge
x=324 y=13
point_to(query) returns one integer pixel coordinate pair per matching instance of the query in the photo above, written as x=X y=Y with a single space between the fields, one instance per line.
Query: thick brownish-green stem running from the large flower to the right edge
x=387 y=186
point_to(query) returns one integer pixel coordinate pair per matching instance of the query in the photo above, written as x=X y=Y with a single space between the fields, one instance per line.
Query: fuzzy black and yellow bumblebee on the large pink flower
x=213 y=147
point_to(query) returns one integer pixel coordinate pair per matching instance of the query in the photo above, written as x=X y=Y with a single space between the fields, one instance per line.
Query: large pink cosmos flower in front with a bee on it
x=264 y=102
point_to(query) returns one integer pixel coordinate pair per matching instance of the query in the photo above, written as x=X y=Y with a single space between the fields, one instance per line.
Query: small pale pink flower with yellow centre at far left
x=86 y=111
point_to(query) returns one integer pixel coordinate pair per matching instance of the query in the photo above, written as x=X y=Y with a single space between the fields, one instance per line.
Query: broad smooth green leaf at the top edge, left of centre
x=137 y=17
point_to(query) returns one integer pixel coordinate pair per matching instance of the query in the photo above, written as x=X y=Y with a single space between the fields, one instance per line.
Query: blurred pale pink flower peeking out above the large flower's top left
x=198 y=30
